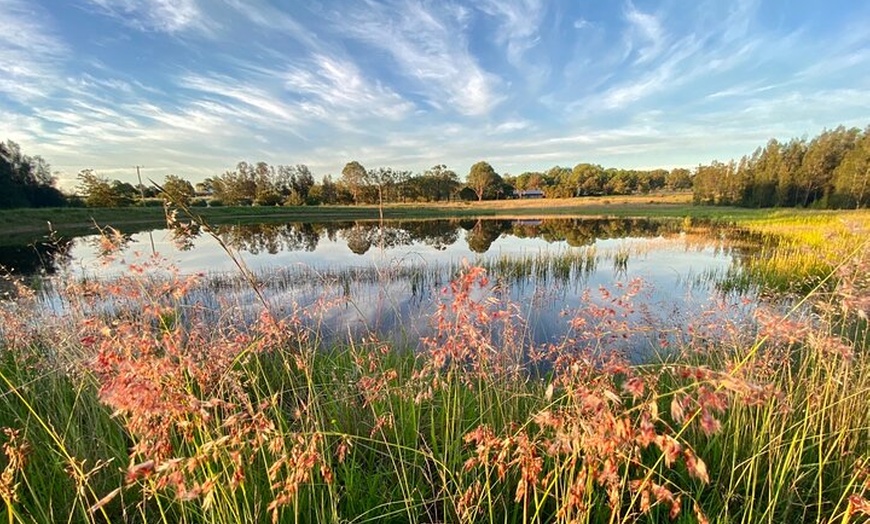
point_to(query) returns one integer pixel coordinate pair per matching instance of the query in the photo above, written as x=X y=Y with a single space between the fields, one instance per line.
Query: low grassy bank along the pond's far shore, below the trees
x=18 y=224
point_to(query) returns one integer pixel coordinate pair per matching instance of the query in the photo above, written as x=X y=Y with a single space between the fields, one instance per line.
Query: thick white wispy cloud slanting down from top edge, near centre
x=431 y=48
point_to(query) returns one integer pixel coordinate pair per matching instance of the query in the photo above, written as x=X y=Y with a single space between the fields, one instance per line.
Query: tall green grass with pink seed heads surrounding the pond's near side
x=132 y=404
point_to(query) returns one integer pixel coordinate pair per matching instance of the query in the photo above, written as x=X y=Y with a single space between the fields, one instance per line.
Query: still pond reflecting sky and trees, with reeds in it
x=558 y=277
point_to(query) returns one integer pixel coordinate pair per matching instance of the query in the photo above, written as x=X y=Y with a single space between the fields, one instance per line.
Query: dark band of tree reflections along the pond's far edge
x=361 y=236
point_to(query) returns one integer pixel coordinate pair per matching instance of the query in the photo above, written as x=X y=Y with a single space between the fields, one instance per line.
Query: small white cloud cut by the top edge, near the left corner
x=165 y=16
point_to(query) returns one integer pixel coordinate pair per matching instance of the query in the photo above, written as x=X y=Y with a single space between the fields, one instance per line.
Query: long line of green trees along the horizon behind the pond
x=830 y=170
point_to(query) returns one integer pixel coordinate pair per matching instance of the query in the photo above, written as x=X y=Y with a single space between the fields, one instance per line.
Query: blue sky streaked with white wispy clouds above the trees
x=192 y=87
